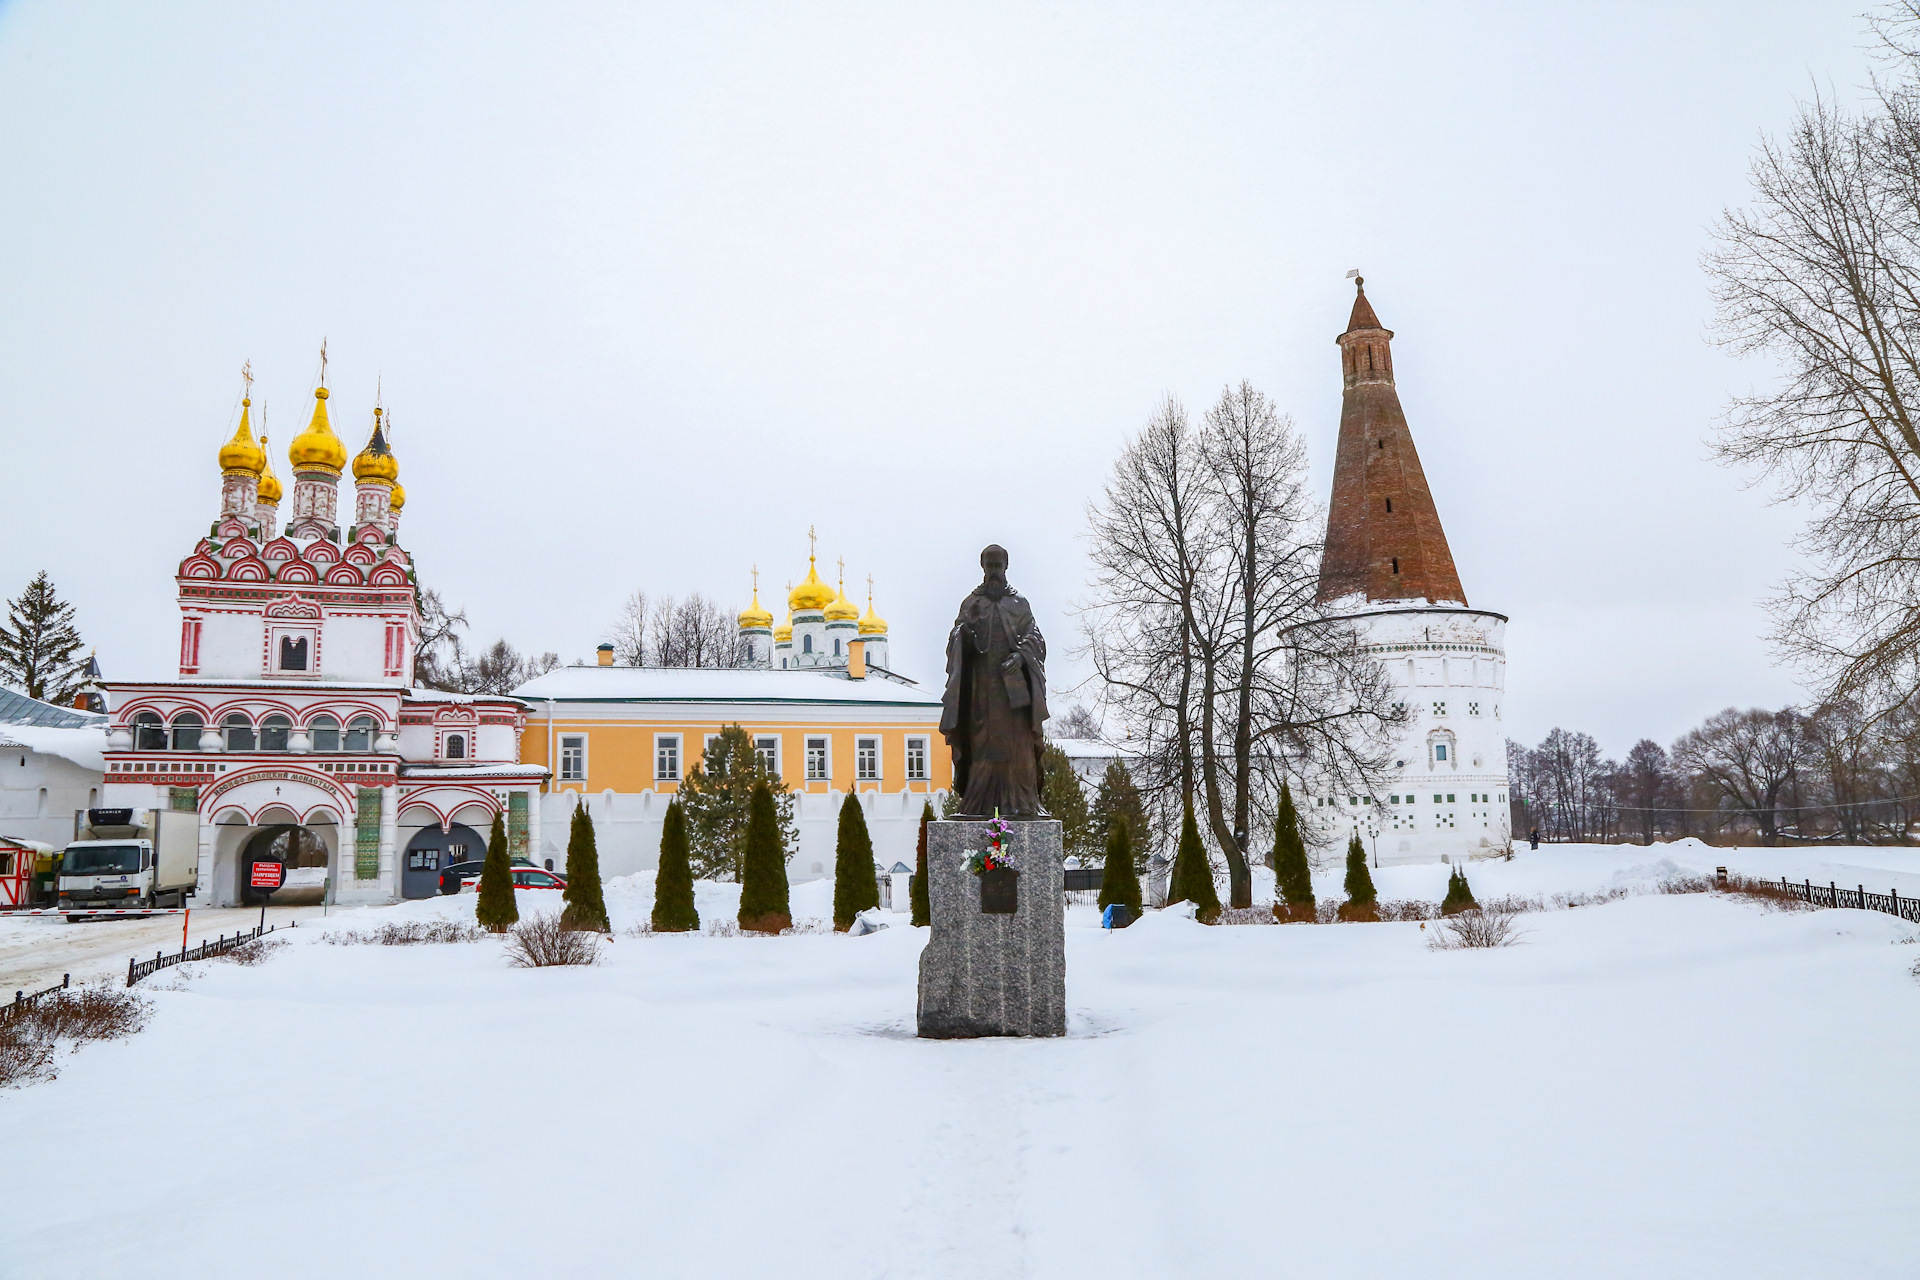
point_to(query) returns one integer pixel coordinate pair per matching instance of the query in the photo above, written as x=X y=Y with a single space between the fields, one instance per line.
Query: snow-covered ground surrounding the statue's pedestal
x=1656 y=1087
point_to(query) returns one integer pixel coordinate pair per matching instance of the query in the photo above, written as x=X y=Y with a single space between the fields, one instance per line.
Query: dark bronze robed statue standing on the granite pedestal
x=996 y=699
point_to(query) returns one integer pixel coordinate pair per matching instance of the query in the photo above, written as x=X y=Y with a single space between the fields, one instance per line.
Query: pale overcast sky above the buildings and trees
x=654 y=289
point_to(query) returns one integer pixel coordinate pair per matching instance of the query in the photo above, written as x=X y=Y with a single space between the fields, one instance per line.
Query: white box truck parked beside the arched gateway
x=130 y=861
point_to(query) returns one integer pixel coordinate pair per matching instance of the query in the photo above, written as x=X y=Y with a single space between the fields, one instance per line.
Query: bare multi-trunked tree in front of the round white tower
x=1207 y=628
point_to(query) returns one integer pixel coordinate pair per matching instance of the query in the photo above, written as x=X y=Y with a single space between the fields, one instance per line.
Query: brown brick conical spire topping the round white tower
x=1383 y=533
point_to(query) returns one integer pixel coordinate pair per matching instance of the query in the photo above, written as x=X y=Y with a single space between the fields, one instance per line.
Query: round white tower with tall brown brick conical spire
x=1391 y=573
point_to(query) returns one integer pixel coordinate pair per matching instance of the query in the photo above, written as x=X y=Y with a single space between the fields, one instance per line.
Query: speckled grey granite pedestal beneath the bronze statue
x=996 y=974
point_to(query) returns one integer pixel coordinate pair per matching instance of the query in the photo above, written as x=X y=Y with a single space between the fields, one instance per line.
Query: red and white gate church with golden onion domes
x=295 y=709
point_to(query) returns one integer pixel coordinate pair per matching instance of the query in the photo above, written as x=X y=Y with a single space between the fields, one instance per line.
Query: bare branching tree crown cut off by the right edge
x=1821 y=273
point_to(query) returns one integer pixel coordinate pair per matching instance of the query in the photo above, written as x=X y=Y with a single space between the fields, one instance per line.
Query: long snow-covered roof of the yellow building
x=677 y=684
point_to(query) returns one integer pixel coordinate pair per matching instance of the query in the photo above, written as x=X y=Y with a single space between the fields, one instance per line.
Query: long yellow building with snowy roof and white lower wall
x=625 y=738
